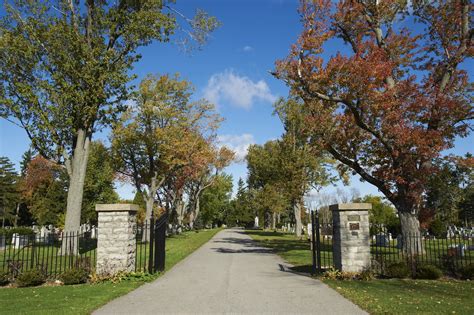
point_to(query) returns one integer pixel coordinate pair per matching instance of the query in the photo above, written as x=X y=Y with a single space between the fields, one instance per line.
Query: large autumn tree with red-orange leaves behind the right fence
x=395 y=98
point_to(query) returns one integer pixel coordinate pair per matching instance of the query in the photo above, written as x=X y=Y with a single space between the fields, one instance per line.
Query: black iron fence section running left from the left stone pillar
x=52 y=253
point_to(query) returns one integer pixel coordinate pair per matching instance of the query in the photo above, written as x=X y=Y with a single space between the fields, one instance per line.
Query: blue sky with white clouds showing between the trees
x=231 y=70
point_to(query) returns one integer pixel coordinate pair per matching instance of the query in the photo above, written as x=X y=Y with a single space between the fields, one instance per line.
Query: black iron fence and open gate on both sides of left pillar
x=55 y=253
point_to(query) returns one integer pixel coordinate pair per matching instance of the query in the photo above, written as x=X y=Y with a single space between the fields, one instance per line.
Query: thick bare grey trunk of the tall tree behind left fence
x=76 y=168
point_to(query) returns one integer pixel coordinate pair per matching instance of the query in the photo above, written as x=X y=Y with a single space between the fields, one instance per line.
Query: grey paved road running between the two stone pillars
x=232 y=275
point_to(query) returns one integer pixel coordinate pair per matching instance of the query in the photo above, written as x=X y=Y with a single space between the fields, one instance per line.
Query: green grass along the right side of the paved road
x=391 y=296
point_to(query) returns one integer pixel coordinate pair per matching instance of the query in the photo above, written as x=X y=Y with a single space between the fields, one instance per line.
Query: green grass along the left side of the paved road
x=82 y=299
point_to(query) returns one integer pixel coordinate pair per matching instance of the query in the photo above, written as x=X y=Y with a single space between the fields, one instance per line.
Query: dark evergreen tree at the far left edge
x=9 y=194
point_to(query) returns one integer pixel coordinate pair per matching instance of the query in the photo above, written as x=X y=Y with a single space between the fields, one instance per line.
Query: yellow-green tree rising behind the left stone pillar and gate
x=157 y=136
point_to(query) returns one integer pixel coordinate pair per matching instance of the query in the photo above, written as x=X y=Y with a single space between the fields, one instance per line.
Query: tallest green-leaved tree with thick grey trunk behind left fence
x=64 y=68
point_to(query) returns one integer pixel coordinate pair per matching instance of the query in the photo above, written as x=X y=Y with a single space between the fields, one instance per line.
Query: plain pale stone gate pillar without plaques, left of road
x=116 y=244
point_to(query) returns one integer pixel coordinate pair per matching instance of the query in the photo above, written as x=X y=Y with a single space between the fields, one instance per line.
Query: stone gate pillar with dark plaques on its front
x=351 y=236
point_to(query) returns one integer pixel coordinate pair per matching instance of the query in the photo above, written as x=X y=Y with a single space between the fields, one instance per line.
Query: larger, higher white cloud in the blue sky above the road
x=238 y=90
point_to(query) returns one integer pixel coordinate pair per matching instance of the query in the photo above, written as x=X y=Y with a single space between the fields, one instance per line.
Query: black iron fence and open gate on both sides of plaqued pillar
x=449 y=254
